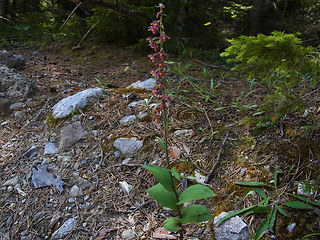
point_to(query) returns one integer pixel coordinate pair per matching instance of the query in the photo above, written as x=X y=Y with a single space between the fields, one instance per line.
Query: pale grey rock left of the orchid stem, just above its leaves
x=128 y=145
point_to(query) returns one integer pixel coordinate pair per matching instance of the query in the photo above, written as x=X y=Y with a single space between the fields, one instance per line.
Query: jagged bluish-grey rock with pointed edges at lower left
x=41 y=178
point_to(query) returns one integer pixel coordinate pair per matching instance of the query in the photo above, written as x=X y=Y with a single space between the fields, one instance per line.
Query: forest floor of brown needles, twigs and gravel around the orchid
x=236 y=150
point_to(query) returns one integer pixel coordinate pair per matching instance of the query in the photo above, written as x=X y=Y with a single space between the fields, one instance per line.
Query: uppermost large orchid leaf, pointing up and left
x=162 y=175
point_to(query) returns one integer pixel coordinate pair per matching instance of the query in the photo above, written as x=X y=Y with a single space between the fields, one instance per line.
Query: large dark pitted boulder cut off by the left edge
x=15 y=86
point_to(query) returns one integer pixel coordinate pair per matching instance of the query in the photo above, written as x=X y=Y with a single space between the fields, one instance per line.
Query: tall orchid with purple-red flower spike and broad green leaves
x=166 y=192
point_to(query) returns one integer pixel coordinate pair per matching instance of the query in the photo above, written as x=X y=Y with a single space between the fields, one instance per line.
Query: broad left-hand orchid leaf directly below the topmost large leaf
x=164 y=197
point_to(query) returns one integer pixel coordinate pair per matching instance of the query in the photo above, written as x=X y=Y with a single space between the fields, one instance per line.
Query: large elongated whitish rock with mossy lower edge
x=77 y=101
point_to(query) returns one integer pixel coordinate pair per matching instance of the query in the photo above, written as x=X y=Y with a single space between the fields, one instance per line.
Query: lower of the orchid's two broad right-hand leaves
x=195 y=213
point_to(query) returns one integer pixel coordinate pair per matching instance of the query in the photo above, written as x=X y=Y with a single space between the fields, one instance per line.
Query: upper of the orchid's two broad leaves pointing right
x=195 y=192
